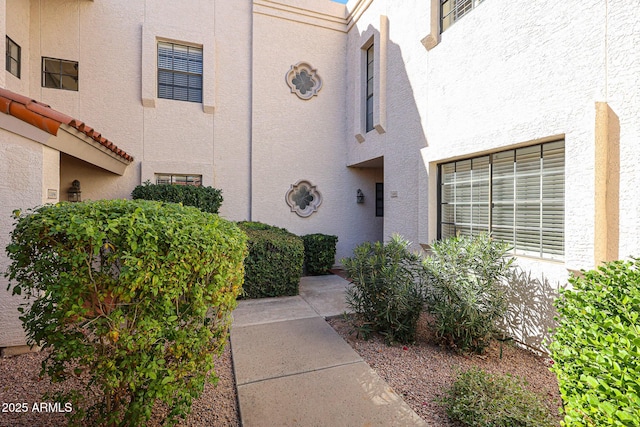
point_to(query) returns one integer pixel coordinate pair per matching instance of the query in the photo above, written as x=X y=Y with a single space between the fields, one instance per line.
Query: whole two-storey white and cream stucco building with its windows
x=447 y=116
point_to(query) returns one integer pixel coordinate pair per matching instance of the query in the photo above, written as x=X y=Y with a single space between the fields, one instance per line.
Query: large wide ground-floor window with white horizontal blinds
x=516 y=195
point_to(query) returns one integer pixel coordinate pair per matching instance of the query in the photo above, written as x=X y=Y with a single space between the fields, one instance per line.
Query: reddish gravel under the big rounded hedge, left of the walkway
x=20 y=383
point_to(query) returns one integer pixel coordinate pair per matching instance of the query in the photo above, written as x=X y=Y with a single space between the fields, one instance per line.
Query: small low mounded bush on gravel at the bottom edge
x=480 y=399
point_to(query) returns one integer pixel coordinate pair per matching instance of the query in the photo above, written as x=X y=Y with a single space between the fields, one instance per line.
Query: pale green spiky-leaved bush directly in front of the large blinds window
x=465 y=295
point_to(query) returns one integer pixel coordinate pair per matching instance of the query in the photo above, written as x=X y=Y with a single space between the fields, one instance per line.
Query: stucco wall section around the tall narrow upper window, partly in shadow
x=399 y=107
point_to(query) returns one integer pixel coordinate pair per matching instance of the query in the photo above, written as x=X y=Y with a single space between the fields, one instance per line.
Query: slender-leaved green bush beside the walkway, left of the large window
x=387 y=291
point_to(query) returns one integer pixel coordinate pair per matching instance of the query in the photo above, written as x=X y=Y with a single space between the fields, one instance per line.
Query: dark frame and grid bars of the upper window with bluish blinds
x=173 y=72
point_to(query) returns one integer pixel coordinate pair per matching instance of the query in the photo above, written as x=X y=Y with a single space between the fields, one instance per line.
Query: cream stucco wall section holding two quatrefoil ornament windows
x=295 y=139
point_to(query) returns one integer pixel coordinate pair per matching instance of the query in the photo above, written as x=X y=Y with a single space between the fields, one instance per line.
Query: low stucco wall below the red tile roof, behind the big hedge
x=21 y=181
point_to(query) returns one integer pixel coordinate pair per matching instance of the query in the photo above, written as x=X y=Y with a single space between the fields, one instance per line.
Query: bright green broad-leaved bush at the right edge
x=596 y=347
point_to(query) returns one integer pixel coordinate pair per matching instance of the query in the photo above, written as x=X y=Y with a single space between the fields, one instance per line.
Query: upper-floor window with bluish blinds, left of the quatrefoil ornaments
x=179 y=72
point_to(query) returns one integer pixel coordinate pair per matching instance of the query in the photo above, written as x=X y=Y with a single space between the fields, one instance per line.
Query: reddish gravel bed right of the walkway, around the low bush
x=422 y=372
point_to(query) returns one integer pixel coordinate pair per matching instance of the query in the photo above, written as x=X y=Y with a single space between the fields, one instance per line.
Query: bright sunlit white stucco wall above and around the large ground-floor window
x=508 y=74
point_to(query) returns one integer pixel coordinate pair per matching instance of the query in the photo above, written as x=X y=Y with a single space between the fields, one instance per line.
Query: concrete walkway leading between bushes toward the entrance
x=293 y=369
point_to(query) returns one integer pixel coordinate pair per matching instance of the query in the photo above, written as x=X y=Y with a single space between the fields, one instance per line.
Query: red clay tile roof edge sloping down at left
x=49 y=120
